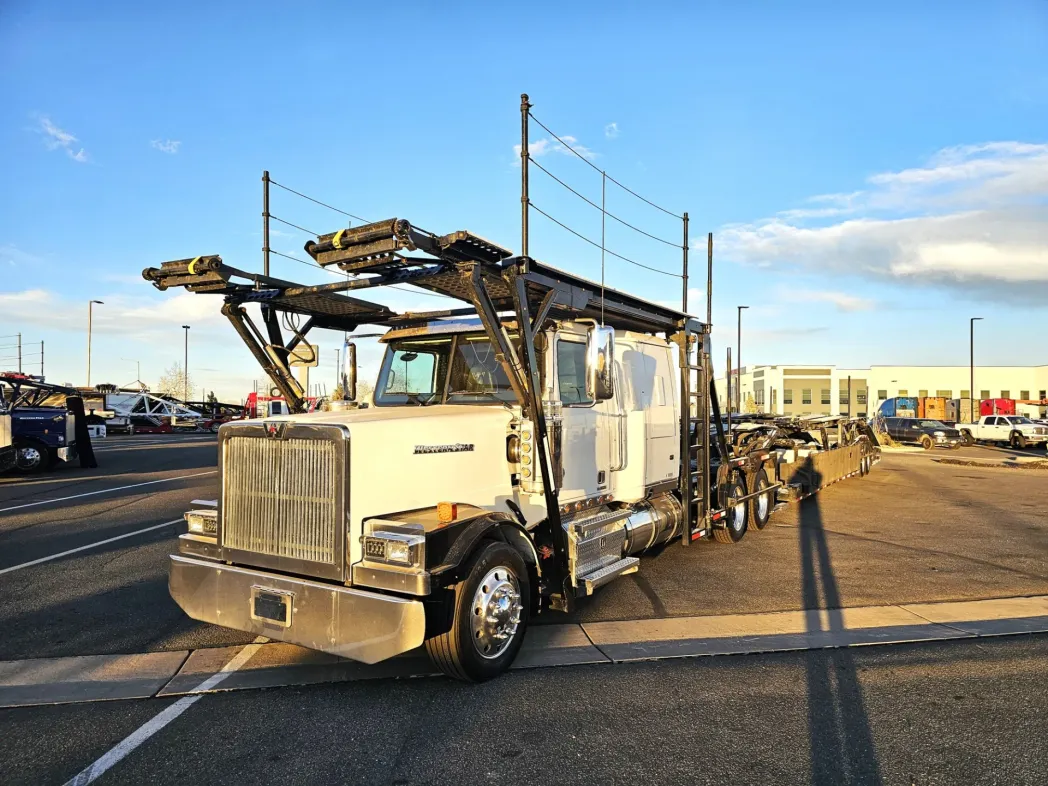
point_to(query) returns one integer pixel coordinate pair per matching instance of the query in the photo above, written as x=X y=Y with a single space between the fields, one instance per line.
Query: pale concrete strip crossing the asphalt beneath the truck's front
x=276 y=665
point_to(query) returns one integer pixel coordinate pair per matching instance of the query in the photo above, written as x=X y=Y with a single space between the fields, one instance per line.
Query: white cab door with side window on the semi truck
x=586 y=444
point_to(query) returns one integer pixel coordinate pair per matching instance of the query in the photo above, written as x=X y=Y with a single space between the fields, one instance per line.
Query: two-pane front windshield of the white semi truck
x=451 y=369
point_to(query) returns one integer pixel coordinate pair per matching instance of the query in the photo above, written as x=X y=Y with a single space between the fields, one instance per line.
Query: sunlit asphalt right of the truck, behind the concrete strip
x=912 y=531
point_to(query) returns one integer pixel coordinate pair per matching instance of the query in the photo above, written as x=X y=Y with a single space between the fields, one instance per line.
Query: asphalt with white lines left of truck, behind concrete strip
x=113 y=597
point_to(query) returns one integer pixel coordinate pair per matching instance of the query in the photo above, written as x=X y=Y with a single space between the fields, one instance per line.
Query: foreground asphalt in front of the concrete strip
x=918 y=714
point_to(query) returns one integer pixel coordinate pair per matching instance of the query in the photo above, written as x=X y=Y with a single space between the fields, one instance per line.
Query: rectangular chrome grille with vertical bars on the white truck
x=280 y=497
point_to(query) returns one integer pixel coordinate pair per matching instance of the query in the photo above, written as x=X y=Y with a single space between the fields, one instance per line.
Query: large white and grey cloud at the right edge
x=975 y=219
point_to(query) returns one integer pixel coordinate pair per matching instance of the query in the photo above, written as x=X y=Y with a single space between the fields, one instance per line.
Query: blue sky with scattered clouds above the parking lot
x=874 y=178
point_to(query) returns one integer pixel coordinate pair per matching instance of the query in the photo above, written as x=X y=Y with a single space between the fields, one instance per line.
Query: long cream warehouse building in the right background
x=827 y=390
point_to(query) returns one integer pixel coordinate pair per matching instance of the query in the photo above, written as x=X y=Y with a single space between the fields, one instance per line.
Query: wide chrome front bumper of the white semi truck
x=345 y=622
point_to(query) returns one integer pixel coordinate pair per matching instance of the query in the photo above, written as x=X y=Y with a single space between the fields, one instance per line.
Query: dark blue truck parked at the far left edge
x=43 y=429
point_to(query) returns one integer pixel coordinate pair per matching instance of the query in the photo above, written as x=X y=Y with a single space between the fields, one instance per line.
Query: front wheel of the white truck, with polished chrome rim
x=460 y=641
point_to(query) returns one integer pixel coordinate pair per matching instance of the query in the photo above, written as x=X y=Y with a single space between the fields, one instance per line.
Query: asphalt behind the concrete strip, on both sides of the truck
x=913 y=531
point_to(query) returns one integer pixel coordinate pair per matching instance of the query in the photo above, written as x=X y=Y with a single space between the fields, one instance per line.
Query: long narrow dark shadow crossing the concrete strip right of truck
x=841 y=743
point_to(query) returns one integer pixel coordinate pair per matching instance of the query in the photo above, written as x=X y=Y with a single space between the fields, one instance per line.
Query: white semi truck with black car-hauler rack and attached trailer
x=520 y=453
